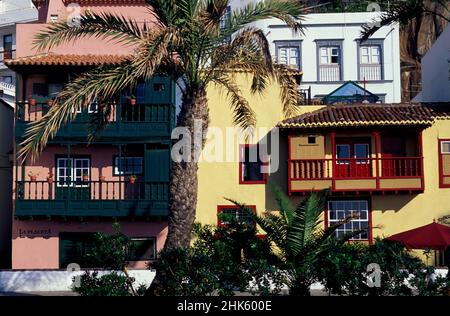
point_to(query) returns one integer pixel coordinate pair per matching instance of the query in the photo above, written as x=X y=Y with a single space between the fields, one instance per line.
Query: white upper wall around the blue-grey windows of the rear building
x=345 y=27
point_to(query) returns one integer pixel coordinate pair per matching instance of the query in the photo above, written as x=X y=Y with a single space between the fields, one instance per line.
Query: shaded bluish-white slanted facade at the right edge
x=436 y=71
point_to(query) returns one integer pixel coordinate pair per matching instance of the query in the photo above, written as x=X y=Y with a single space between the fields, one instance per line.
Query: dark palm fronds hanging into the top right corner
x=407 y=11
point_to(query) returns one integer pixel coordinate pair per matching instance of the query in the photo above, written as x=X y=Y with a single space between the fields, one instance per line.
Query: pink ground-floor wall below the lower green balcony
x=36 y=243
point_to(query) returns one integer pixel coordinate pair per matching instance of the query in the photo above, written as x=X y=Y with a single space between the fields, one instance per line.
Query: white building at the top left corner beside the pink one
x=11 y=12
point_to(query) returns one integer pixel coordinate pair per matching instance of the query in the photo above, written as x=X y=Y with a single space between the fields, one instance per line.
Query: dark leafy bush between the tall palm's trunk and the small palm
x=222 y=260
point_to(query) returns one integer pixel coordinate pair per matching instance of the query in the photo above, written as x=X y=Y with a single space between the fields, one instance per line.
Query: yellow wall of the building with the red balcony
x=393 y=213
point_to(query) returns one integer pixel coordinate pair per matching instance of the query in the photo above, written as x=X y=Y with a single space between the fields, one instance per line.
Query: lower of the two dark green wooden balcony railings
x=43 y=199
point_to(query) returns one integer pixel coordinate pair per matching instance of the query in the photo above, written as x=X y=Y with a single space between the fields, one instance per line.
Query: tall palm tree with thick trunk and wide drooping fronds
x=187 y=43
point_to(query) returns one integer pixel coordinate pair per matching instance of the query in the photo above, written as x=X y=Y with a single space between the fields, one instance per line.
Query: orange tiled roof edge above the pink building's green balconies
x=66 y=60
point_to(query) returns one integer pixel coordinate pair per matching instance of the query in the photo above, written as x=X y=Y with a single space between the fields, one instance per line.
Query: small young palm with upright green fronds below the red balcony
x=297 y=235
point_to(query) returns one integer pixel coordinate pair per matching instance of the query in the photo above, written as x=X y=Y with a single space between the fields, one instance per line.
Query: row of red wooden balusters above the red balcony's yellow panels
x=355 y=168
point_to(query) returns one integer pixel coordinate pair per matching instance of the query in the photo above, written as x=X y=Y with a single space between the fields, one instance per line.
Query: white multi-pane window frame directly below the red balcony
x=358 y=220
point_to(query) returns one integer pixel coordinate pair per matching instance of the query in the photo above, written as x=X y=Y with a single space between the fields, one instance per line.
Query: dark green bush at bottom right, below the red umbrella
x=343 y=271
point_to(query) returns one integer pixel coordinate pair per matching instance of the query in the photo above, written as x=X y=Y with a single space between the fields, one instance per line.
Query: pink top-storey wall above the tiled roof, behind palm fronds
x=26 y=32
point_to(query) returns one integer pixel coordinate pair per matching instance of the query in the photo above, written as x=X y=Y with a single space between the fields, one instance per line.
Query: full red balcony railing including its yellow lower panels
x=399 y=173
